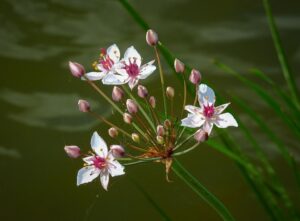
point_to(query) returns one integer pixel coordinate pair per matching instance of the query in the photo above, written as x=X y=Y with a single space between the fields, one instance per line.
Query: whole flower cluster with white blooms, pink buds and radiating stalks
x=152 y=134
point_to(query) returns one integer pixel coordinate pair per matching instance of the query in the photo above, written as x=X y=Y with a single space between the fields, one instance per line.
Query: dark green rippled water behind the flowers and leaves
x=39 y=114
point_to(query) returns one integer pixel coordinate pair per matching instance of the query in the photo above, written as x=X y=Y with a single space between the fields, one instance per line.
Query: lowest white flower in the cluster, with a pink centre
x=102 y=163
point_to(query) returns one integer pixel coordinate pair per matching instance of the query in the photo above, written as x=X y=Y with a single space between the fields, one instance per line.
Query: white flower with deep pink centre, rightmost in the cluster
x=207 y=114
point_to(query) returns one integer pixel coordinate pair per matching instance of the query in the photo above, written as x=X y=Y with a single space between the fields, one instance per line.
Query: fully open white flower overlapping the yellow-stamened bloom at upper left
x=129 y=70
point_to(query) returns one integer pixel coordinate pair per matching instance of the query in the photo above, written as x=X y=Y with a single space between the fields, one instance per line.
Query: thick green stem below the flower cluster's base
x=200 y=190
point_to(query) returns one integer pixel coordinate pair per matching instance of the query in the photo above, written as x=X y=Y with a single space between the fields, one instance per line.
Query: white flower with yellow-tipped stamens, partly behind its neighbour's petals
x=105 y=65
